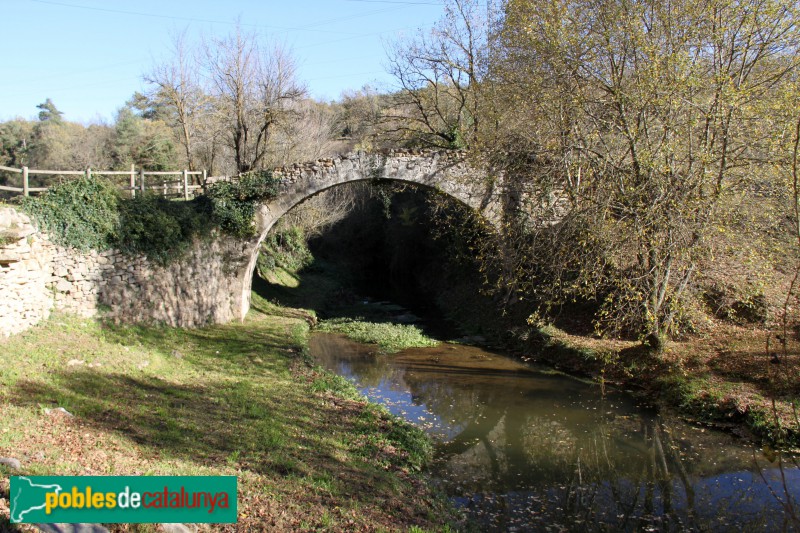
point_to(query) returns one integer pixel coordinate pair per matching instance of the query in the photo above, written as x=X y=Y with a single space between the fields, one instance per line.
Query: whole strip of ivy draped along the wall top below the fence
x=89 y=214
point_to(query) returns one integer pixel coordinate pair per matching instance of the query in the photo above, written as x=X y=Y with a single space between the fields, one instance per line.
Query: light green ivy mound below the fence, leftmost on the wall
x=81 y=213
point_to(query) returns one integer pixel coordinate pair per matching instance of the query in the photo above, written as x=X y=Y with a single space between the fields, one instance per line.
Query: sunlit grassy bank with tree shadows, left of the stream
x=237 y=399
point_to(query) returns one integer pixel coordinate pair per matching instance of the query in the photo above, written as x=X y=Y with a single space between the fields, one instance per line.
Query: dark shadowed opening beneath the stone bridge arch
x=397 y=242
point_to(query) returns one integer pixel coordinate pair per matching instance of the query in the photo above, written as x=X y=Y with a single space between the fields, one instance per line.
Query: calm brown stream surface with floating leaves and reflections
x=521 y=449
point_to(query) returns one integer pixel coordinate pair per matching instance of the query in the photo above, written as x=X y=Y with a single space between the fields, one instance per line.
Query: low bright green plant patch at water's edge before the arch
x=388 y=336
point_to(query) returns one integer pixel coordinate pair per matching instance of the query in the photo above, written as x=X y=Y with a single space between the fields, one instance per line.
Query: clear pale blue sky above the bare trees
x=89 y=56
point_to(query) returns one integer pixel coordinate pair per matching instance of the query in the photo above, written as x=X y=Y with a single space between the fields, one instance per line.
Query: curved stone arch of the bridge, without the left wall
x=444 y=171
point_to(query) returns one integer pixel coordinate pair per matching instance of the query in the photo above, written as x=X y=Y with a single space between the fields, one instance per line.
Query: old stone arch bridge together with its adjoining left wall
x=212 y=283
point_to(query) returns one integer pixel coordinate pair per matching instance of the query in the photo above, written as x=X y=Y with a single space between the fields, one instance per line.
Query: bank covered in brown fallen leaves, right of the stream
x=723 y=378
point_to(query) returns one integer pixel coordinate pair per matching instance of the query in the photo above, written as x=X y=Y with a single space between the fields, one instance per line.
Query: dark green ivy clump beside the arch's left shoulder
x=234 y=203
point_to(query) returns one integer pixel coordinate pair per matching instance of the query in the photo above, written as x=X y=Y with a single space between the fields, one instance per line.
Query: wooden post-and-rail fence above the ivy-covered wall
x=137 y=179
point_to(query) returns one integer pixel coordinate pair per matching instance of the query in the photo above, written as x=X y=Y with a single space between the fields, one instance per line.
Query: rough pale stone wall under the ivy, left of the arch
x=37 y=276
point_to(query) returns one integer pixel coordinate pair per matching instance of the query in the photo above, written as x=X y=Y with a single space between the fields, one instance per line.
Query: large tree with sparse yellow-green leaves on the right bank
x=645 y=115
